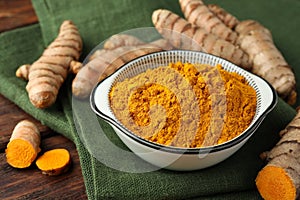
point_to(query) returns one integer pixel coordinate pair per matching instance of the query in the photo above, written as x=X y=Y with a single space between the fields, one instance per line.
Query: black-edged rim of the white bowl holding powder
x=182 y=150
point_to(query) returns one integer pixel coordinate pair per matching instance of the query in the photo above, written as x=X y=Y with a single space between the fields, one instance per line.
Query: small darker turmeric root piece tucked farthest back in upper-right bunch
x=229 y=20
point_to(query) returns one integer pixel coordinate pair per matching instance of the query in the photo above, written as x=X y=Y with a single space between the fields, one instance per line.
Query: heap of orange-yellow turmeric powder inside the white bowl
x=224 y=100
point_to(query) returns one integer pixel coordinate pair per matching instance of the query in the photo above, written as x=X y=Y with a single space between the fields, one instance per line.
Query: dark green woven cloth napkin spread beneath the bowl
x=234 y=178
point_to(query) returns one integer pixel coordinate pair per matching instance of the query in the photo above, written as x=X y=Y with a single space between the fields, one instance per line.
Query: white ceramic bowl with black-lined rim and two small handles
x=176 y=158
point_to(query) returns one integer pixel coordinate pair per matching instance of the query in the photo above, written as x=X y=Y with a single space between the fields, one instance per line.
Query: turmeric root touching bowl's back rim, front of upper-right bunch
x=175 y=29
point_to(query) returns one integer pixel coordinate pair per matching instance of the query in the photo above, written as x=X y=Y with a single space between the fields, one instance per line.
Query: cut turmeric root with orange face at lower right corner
x=279 y=179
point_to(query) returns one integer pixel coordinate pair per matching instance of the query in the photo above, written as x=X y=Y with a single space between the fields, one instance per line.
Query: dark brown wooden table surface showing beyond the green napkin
x=30 y=183
